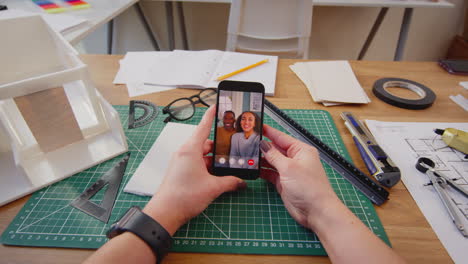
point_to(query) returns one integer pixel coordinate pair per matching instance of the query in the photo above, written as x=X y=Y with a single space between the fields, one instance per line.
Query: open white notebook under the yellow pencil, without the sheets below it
x=199 y=69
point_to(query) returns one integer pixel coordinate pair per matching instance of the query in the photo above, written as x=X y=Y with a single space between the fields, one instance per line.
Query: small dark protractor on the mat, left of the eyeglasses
x=150 y=112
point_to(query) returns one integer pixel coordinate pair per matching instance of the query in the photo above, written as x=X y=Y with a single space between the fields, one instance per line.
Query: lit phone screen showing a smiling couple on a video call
x=238 y=129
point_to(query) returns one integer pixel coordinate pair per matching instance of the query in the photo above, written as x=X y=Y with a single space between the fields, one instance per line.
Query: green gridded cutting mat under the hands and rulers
x=252 y=221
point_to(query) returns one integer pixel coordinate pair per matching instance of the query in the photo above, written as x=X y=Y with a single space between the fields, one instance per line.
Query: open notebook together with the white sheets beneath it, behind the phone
x=149 y=72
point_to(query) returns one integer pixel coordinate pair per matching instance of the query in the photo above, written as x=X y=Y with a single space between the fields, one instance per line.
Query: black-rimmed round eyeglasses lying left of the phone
x=184 y=108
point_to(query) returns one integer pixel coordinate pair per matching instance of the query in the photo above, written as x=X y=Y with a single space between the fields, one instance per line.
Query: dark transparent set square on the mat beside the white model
x=112 y=178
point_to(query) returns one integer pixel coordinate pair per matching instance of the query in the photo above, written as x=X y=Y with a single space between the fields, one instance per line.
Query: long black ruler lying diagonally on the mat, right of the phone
x=376 y=193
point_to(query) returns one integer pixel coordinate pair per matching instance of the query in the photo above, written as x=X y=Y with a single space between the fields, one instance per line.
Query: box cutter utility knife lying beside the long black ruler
x=377 y=161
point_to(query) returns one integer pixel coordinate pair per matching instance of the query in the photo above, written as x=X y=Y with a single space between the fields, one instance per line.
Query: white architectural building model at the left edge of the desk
x=53 y=121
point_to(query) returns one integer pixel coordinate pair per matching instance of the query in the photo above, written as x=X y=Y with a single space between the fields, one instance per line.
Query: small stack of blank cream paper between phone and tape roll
x=330 y=82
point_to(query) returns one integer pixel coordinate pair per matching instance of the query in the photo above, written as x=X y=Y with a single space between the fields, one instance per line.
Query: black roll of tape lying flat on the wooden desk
x=428 y=96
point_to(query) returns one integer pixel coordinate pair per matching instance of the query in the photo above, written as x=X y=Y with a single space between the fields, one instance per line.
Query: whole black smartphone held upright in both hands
x=238 y=129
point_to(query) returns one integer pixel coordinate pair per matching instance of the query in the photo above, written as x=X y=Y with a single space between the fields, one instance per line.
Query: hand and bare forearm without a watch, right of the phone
x=309 y=198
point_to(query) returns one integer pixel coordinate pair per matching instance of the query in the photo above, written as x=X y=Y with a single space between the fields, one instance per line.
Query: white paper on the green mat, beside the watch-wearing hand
x=150 y=174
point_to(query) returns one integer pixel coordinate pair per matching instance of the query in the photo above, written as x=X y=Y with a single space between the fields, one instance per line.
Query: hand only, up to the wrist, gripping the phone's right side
x=301 y=180
